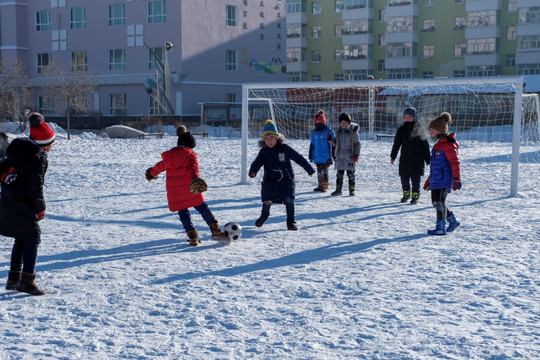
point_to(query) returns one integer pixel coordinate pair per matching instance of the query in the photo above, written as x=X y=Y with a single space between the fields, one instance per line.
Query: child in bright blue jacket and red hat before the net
x=320 y=150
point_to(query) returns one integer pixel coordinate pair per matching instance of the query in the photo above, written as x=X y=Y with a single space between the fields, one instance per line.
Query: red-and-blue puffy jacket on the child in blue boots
x=444 y=163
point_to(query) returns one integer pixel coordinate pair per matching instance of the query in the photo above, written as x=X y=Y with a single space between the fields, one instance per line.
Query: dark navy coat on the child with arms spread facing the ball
x=278 y=178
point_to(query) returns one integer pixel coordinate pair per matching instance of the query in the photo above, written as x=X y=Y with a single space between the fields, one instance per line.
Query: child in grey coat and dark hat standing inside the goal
x=346 y=152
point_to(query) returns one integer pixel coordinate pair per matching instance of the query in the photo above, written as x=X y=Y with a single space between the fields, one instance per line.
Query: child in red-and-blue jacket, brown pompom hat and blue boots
x=444 y=175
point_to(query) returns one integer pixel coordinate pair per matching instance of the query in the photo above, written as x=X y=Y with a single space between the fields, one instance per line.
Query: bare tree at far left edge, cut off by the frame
x=15 y=90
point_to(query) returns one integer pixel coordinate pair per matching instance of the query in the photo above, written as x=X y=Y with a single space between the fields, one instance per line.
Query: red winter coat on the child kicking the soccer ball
x=181 y=166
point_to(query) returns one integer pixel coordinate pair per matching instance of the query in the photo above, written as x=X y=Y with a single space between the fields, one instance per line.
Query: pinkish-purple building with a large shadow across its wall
x=122 y=45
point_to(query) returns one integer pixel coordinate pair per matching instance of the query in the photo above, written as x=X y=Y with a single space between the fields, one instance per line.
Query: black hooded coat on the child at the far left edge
x=22 y=199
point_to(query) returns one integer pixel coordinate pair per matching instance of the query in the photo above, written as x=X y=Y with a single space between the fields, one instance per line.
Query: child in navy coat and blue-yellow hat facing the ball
x=278 y=184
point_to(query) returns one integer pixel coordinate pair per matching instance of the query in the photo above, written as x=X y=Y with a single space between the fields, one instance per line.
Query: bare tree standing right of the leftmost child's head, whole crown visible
x=71 y=88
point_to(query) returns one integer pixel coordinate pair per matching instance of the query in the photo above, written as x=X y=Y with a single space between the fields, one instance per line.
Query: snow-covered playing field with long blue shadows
x=359 y=280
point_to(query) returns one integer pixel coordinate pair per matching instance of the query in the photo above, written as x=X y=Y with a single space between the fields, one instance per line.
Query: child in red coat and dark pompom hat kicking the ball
x=184 y=186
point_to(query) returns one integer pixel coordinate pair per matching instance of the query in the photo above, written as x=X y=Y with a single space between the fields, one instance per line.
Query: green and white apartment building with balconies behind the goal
x=343 y=40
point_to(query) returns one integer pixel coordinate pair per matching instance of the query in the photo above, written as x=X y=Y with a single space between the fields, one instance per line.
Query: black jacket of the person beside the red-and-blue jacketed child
x=414 y=149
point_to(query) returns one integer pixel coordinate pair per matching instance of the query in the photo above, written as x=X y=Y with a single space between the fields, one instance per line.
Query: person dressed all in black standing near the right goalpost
x=411 y=139
